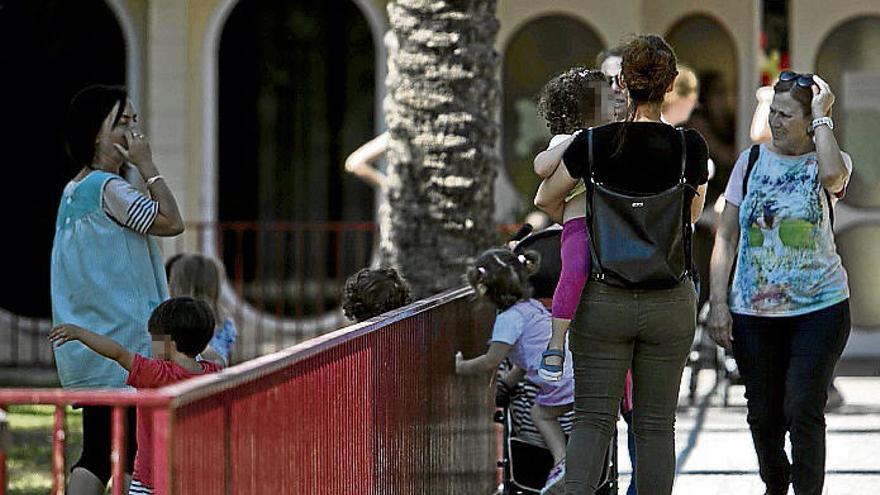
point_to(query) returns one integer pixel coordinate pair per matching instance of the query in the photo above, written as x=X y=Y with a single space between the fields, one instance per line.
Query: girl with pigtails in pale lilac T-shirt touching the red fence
x=521 y=333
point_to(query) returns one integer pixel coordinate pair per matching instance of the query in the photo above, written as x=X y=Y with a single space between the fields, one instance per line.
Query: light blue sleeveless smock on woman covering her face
x=104 y=277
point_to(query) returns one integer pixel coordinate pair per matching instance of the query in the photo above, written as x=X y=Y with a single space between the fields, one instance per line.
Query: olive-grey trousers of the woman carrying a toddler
x=614 y=329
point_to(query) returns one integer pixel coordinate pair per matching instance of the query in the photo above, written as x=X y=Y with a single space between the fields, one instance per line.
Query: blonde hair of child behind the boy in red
x=199 y=277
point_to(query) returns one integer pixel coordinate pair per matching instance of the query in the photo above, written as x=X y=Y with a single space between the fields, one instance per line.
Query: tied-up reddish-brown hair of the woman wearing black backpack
x=649 y=66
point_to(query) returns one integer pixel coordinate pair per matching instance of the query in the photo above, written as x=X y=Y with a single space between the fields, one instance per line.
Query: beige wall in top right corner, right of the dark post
x=812 y=21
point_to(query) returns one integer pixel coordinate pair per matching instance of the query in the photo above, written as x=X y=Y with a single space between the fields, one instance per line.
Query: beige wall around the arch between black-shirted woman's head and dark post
x=741 y=19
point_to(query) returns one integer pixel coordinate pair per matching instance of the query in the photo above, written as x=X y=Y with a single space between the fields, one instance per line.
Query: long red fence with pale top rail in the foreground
x=374 y=408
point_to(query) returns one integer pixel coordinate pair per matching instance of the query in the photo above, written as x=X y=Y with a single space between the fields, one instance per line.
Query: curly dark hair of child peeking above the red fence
x=373 y=291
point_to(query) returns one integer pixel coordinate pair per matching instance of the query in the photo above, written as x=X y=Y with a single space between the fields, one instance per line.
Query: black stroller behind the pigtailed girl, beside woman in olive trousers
x=526 y=461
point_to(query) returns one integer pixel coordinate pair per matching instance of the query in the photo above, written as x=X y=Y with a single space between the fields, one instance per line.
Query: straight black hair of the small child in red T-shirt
x=189 y=322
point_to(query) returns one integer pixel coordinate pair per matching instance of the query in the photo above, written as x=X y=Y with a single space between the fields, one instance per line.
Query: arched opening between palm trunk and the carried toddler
x=540 y=49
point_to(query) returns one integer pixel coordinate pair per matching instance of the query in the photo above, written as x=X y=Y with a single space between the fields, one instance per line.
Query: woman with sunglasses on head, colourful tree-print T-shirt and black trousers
x=786 y=313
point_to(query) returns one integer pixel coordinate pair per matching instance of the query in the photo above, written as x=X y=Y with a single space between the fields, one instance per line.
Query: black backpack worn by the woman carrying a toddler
x=638 y=241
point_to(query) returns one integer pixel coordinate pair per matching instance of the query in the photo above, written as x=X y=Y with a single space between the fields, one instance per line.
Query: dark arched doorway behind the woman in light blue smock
x=49 y=49
